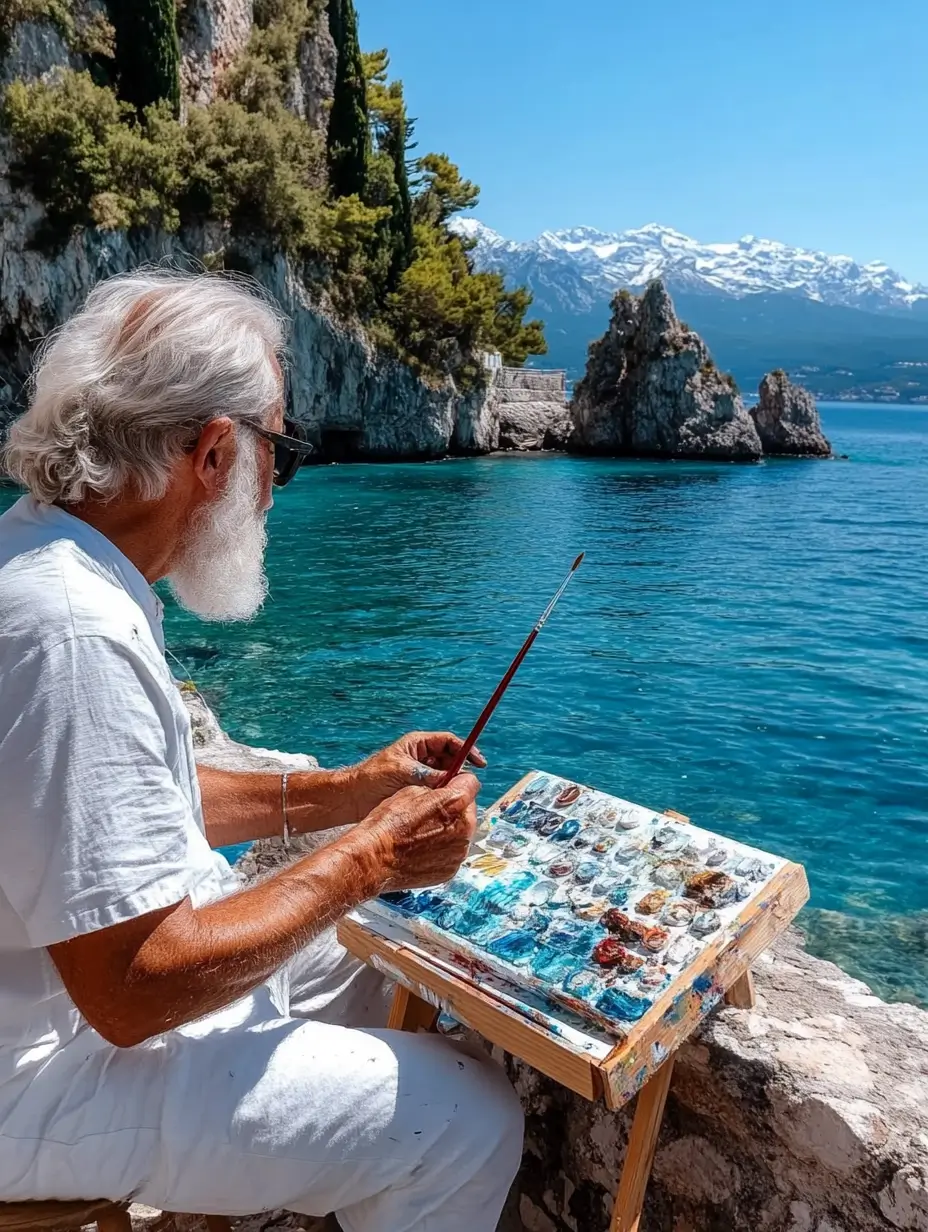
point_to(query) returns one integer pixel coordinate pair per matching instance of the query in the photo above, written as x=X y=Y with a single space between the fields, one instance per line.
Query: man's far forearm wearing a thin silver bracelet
x=243 y=806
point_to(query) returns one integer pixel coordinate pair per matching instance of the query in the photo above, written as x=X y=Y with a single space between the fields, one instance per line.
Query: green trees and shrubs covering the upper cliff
x=374 y=236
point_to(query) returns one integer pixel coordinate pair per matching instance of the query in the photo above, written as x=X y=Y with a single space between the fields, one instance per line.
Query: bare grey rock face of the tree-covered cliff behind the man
x=356 y=401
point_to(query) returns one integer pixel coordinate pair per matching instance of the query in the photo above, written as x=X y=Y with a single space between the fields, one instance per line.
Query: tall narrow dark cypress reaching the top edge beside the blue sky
x=349 y=132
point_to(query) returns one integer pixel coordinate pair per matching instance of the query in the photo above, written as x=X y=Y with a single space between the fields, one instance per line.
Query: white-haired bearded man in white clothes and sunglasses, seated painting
x=167 y=1035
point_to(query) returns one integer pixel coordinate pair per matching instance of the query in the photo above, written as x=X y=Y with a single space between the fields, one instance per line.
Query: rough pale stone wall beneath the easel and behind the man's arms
x=808 y=1114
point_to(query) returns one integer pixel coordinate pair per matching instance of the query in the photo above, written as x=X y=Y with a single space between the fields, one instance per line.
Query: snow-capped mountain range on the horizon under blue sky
x=576 y=269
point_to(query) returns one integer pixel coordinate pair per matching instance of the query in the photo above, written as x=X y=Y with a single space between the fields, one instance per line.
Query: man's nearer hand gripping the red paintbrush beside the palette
x=421 y=836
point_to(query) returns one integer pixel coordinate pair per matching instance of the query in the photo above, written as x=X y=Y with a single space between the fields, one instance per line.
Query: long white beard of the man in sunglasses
x=220 y=571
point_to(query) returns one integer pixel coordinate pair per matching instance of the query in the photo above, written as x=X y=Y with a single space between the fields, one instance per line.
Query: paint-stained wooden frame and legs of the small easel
x=640 y=1065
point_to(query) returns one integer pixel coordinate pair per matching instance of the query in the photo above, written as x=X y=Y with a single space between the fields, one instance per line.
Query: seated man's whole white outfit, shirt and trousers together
x=252 y=1108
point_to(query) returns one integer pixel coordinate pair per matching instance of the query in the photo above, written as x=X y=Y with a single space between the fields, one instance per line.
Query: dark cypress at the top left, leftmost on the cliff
x=147 y=52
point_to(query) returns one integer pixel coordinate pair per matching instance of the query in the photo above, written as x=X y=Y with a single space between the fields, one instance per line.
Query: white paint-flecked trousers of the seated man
x=257 y=1108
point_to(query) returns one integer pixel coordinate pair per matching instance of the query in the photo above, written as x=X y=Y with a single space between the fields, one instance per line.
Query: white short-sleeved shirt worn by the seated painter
x=100 y=816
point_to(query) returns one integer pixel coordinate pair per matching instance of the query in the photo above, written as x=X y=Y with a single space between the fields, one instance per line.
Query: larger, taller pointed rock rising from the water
x=653 y=390
